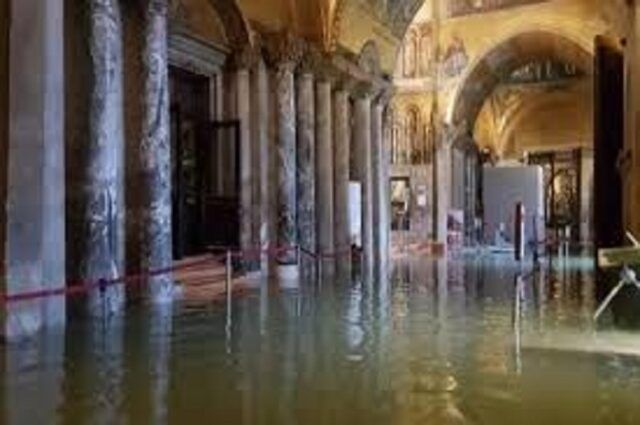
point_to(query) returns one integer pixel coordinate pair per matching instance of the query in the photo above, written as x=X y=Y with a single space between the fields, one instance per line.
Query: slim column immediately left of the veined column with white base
x=260 y=139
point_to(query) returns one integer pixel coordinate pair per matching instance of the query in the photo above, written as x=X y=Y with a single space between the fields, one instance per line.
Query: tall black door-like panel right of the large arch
x=608 y=143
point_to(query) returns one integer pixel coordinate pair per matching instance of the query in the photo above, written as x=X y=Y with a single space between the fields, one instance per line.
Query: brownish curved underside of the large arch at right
x=490 y=68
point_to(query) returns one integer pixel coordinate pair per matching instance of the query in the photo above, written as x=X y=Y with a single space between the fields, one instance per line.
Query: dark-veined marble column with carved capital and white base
x=284 y=52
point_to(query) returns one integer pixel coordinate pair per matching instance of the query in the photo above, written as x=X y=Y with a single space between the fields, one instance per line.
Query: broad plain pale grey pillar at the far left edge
x=34 y=184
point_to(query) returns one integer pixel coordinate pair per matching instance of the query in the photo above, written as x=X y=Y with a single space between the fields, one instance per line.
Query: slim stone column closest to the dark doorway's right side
x=242 y=112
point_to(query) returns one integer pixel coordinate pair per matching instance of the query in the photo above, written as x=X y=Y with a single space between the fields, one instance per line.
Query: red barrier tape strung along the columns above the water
x=83 y=287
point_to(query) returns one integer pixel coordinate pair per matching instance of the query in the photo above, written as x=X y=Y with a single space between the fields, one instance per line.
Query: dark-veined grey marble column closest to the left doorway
x=155 y=154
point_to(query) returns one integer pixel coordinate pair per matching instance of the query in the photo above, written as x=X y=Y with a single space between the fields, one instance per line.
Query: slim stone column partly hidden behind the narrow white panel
x=362 y=173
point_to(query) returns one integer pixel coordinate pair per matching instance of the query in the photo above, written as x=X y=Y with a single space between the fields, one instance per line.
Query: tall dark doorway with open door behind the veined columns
x=204 y=169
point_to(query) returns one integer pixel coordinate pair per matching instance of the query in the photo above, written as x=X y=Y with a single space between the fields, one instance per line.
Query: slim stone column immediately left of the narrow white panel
x=341 y=176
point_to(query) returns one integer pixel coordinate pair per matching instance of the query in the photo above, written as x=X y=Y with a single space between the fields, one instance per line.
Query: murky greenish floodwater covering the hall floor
x=439 y=343
